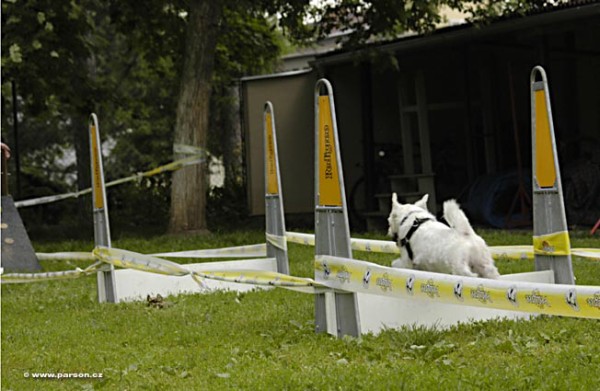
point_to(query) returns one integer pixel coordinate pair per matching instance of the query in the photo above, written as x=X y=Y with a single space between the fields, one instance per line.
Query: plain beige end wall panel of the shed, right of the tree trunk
x=292 y=99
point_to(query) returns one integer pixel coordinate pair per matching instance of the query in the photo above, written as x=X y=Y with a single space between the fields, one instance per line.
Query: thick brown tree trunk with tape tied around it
x=188 y=190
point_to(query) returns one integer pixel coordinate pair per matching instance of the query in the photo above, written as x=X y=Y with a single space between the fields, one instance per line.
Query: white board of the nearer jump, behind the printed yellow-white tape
x=378 y=313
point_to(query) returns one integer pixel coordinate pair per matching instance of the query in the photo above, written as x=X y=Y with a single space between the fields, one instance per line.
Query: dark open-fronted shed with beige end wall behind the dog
x=478 y=110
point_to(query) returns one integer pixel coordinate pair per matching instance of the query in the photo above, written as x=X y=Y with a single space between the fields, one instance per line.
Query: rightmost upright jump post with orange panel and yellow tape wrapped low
x=551 y=243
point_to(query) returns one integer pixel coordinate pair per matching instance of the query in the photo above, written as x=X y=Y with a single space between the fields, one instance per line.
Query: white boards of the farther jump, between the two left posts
x=132 y=285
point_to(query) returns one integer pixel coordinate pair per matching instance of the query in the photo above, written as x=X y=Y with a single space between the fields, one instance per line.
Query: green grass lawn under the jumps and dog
x=265 y=339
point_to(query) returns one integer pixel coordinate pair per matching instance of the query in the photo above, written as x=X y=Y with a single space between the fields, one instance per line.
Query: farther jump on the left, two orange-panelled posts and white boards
x=116 y=285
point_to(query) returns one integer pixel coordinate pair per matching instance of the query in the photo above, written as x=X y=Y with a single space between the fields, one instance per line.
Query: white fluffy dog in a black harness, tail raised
x=427 y=244
